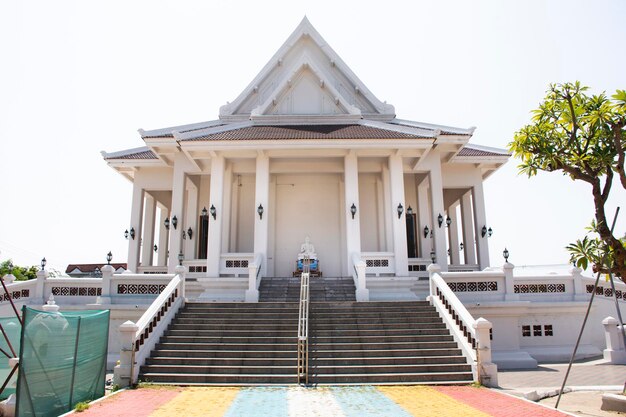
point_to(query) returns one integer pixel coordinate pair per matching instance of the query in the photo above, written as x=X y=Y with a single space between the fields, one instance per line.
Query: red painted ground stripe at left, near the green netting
x=131 y=403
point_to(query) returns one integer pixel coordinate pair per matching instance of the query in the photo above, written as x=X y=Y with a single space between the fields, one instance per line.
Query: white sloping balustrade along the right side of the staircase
x=459 y=320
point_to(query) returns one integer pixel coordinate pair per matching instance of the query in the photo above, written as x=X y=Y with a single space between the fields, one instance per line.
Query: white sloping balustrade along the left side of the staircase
x=155 y=320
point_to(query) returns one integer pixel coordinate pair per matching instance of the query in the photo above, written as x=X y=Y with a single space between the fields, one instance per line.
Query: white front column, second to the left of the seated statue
x=215 y=225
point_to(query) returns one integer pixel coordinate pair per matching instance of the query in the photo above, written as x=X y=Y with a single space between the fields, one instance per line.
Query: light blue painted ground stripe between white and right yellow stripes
x=366 y=401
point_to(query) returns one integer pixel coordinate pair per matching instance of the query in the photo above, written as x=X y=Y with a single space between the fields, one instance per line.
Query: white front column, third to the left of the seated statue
x=178 y=205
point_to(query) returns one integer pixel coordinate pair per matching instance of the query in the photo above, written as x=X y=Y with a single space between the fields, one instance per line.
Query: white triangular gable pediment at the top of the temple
x=305 y=66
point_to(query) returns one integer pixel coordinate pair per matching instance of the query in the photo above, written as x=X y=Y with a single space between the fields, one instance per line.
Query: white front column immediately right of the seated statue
x=351 y=194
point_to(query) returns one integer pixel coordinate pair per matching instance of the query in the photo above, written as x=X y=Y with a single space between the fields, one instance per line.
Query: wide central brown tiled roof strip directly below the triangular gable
x=307 y=132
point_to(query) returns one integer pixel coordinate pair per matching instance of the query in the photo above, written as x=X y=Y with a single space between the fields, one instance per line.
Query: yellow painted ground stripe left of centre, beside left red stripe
x=198 y=402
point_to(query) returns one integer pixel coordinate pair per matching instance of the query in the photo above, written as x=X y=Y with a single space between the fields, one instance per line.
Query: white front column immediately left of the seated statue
x=262 y=198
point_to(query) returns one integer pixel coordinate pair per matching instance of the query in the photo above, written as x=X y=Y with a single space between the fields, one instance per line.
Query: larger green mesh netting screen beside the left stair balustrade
x=62 y=360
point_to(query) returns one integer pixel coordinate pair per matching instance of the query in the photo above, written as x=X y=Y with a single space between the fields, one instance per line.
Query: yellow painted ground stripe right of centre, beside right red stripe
x=425 y=401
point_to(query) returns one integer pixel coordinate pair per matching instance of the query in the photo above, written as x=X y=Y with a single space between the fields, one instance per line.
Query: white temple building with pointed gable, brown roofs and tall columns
x=308 y=150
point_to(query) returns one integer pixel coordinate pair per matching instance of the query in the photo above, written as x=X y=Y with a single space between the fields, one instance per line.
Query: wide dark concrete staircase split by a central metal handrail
x=350 y=342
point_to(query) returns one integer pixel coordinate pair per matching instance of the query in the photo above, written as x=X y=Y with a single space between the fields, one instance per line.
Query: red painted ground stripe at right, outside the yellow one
x=497 y=404
